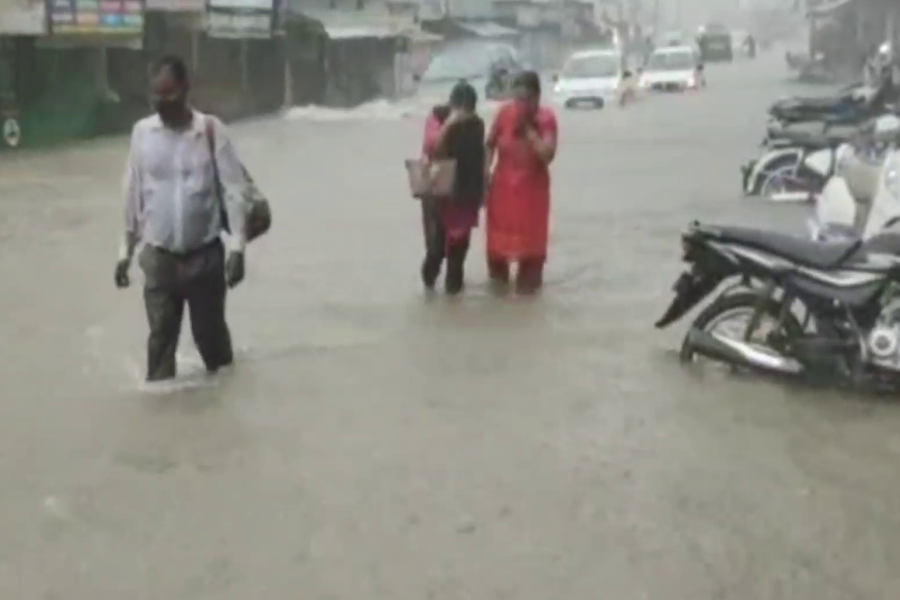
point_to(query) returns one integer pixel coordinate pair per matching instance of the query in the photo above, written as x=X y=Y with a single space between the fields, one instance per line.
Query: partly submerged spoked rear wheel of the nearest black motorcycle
x=729 y=318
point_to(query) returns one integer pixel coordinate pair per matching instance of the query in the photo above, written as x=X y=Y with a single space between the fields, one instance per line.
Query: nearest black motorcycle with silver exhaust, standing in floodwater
x=827 y=309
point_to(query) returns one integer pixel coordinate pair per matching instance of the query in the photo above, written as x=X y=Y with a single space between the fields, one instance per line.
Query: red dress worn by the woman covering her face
x=518 y=203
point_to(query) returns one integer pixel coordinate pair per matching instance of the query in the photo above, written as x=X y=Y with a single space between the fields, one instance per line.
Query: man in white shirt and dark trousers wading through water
x=173 y=208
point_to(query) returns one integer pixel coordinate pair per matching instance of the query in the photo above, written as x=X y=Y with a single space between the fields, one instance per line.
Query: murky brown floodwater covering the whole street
x=374 y=443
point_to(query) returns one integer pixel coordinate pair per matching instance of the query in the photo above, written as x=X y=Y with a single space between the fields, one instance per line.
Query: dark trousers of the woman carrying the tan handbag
x=437 y=250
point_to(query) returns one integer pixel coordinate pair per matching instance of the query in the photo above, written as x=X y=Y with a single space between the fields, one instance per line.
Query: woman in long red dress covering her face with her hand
x=523 y=138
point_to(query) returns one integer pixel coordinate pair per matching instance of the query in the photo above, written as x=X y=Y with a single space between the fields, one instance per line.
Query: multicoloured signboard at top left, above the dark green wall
x=96 y=17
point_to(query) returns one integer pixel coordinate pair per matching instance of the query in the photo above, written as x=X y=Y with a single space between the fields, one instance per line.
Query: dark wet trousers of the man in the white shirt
x=198 y=280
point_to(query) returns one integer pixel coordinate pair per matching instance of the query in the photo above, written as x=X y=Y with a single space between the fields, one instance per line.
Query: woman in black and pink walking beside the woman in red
x=449 y=221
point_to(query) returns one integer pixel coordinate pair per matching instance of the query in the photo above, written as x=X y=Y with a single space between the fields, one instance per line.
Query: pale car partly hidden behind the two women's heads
x=488 y=65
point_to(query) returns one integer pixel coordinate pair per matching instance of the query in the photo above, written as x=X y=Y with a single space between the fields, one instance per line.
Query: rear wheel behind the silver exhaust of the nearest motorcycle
x=742 y=303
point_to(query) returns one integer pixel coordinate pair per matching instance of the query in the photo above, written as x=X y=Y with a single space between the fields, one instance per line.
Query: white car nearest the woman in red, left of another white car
x=589 y=78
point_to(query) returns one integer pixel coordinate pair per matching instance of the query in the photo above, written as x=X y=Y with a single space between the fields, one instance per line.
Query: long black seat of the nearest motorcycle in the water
x=801 y=250
